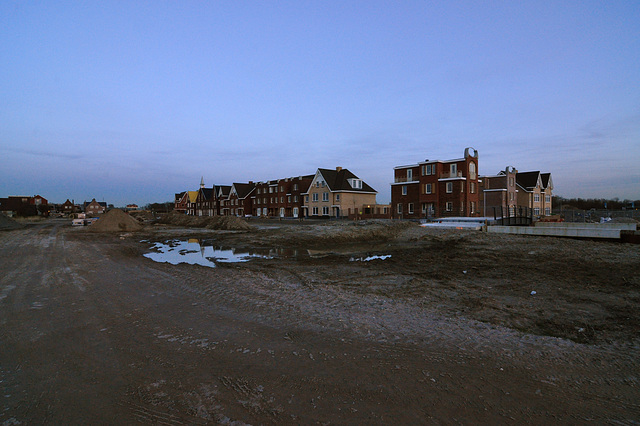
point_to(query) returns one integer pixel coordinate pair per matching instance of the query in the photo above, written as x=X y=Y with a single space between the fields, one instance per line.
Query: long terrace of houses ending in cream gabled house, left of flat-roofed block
x=327 y=193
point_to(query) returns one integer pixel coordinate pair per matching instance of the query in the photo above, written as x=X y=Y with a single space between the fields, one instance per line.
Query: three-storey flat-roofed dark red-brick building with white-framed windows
x=437 y=188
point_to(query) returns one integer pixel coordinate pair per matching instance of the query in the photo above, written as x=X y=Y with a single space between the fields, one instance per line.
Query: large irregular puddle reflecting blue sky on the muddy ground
x=206 y=253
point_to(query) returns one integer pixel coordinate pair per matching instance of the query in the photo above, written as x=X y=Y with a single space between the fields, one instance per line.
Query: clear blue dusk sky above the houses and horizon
x=132 y=101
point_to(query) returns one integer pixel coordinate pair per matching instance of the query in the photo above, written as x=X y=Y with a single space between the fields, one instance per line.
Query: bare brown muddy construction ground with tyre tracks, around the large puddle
x=454 y=327
